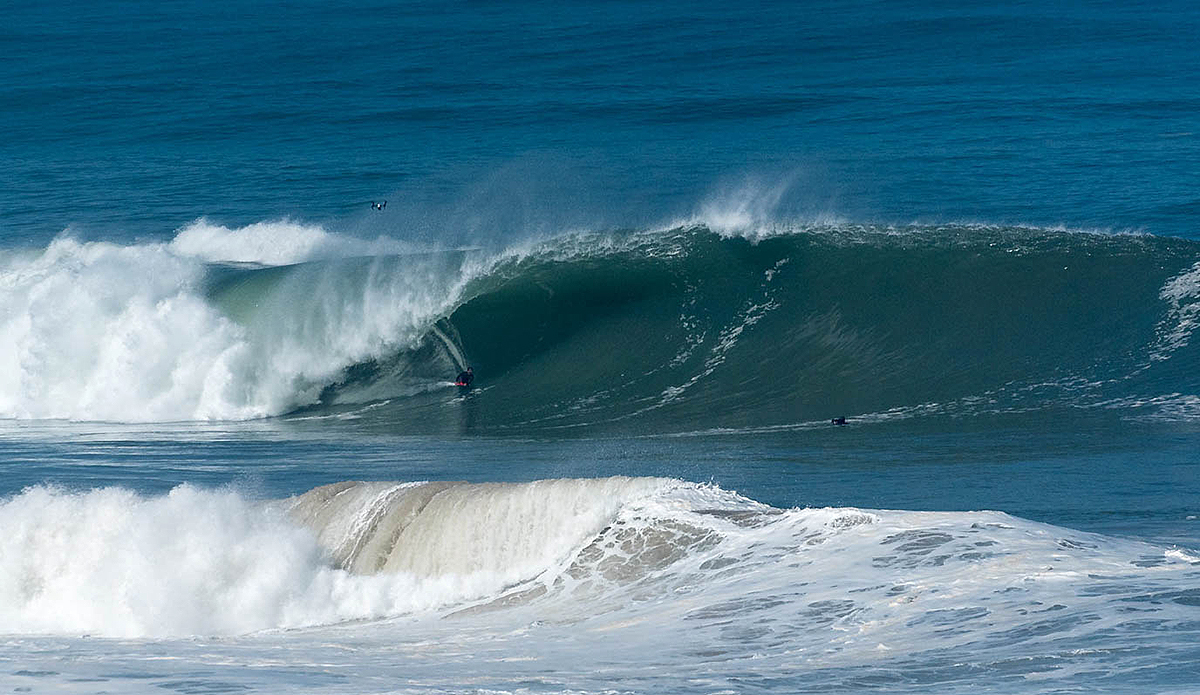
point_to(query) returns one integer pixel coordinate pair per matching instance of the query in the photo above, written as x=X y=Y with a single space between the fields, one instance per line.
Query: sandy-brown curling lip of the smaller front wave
x=434 y=530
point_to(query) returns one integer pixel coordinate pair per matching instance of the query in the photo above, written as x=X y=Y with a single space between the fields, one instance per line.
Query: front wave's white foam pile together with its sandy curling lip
x=116 y=564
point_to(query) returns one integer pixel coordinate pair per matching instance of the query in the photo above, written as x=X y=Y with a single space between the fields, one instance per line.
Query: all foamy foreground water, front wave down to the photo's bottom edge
x=575 y=580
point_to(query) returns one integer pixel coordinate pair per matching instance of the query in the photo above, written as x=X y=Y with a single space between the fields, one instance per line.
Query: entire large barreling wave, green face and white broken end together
x=675 y=331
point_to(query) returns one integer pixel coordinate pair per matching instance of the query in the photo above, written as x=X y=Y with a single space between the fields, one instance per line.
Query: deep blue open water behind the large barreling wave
x=133 y=119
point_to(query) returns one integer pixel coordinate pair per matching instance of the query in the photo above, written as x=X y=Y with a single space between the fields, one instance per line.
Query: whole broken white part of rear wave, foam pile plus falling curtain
x=101 y=332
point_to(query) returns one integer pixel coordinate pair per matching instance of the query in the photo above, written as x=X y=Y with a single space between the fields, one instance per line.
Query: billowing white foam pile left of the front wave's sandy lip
x=111 y=562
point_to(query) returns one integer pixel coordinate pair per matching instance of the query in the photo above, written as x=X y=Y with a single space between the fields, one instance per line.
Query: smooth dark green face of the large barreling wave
x=691 y=331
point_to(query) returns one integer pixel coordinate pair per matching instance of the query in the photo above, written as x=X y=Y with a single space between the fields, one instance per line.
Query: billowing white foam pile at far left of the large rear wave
x=105 y=332
